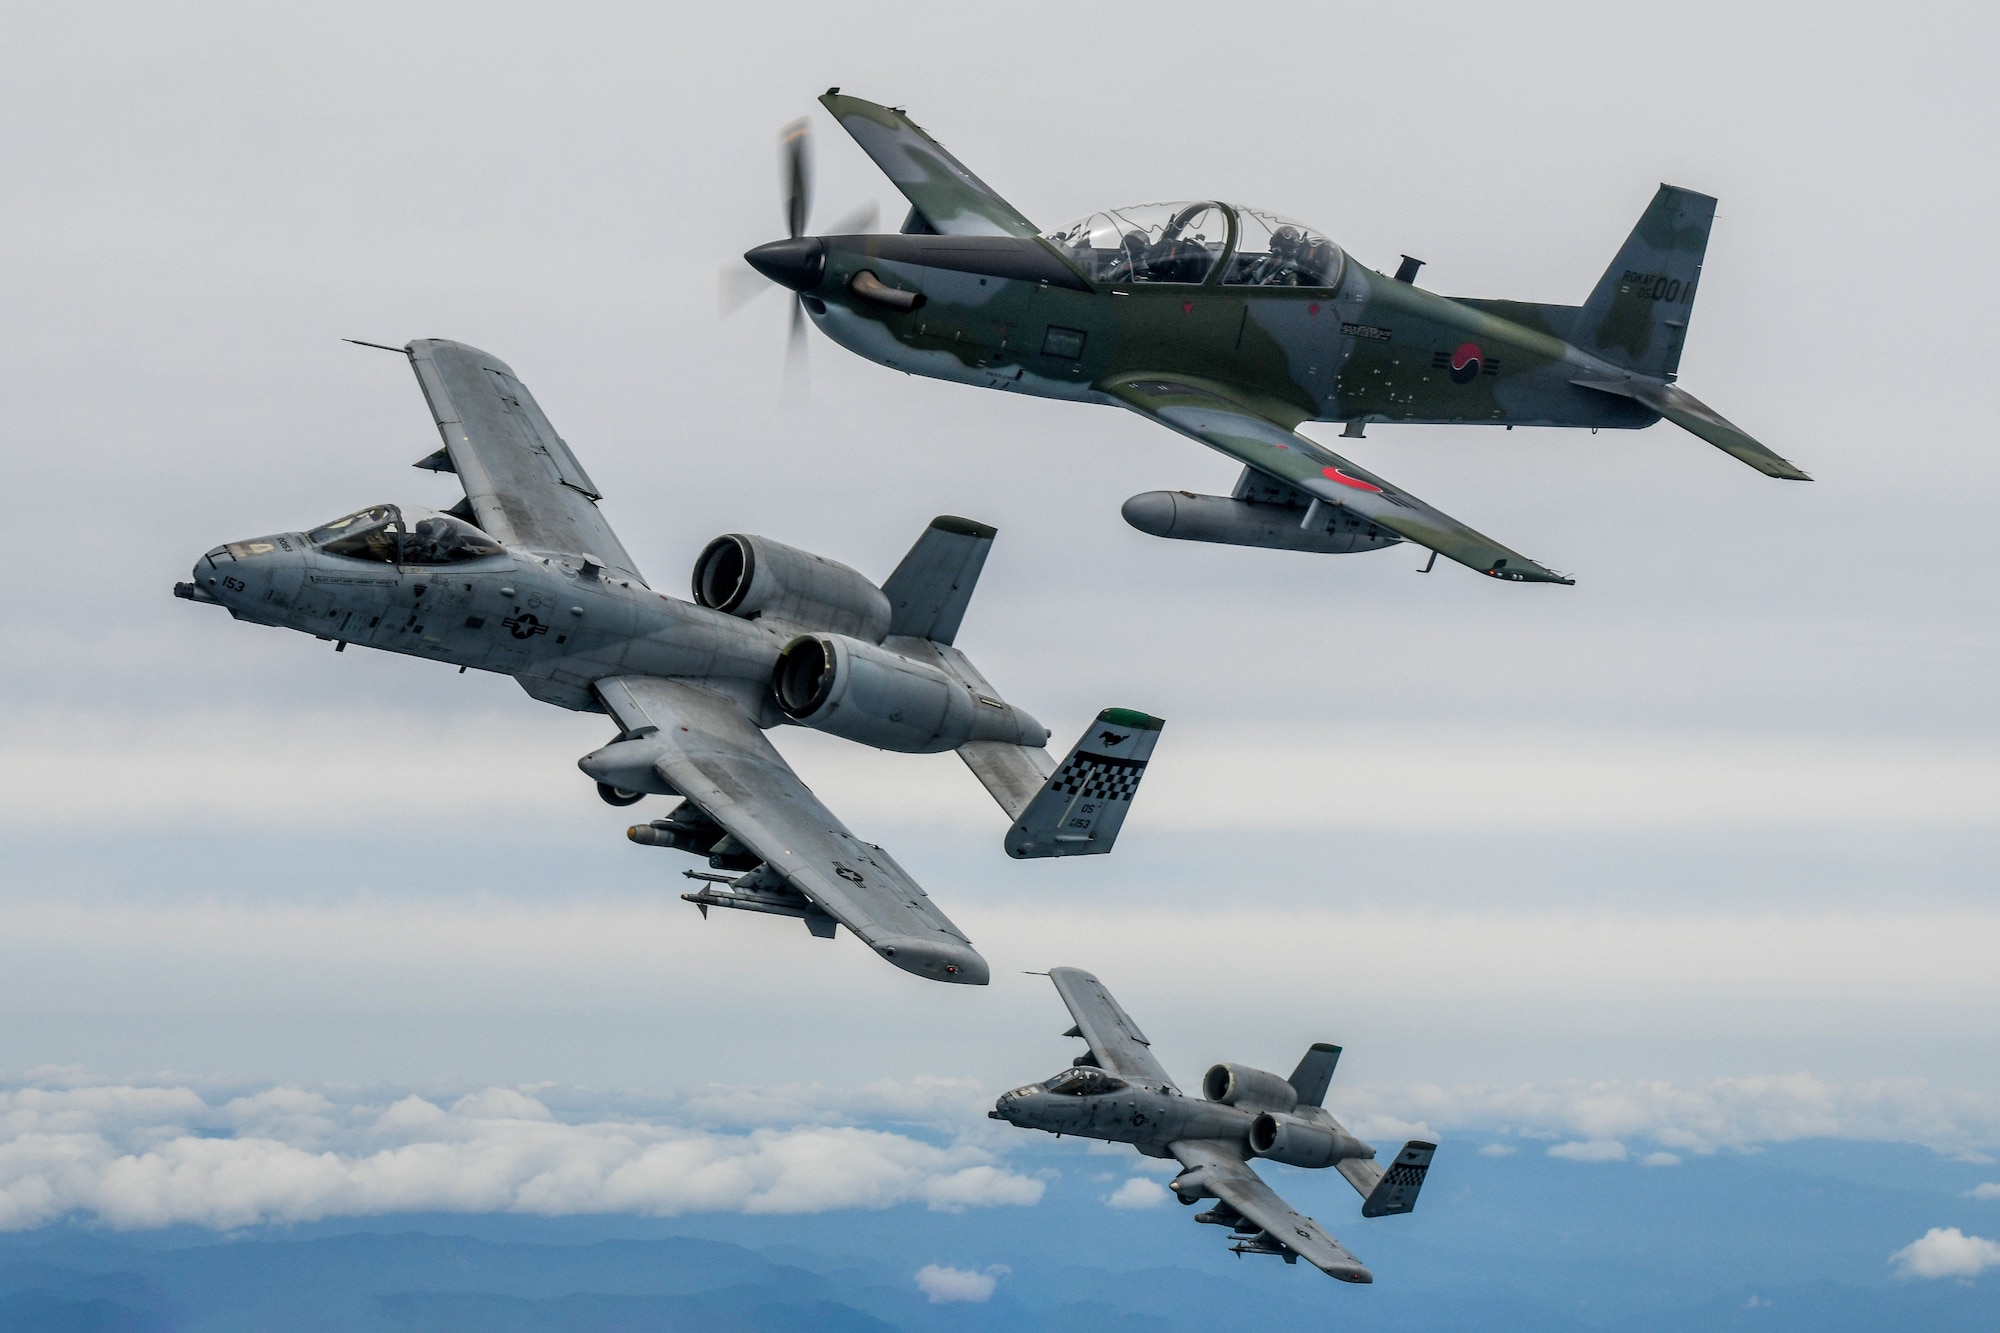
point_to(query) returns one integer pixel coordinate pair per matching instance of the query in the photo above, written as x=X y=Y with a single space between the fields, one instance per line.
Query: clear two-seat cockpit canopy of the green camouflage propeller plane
x=1183 y=243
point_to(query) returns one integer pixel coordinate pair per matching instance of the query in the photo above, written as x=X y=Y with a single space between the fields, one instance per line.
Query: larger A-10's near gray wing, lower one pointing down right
x=717 y=758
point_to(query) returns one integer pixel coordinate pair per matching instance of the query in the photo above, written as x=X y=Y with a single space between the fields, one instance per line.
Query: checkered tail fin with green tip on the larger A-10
x=1085 y=802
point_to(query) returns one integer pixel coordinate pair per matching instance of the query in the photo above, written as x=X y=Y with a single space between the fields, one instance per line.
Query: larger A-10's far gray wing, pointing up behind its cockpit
x=521 y=479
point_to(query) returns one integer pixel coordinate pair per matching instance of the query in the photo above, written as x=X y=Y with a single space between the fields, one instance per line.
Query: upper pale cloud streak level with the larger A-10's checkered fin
x=53 y=766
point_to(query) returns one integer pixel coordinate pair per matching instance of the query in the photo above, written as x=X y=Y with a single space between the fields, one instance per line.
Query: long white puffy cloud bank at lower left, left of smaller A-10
x=169 y=1156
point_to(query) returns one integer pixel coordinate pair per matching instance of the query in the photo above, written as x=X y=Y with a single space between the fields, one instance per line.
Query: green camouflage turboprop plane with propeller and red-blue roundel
x=1233 y=327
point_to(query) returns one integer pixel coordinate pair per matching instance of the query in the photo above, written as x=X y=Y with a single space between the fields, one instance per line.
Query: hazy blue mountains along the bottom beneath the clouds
x=1793 y=1240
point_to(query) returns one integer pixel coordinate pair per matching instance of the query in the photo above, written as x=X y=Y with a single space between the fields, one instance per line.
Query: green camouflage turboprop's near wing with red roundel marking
x=1211 y=417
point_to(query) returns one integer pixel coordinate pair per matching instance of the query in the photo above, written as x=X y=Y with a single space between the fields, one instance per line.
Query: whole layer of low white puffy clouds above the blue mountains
x=133 y=1154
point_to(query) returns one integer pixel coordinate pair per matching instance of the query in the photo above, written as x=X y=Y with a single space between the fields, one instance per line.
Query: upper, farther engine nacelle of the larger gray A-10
x=757 y=577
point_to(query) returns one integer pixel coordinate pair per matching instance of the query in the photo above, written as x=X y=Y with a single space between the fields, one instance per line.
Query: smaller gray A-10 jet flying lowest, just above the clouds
x=1119 y=1092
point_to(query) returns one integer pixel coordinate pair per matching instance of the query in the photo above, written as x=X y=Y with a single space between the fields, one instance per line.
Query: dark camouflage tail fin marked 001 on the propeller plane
x=1639 y=313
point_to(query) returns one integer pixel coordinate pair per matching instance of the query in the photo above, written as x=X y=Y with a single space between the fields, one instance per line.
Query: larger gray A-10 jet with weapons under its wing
x=525 y=577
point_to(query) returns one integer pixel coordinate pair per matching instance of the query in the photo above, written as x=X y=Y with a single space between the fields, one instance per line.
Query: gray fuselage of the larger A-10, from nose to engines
x=553 y=623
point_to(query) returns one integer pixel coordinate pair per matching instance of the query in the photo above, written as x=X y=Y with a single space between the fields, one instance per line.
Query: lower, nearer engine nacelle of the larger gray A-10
x=867 y=694
